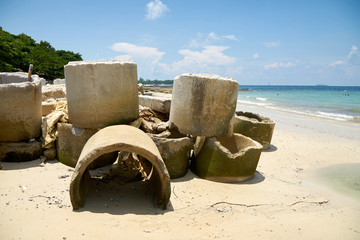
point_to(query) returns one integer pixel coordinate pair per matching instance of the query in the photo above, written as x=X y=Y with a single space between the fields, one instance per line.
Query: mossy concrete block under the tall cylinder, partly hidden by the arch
x=70 y=142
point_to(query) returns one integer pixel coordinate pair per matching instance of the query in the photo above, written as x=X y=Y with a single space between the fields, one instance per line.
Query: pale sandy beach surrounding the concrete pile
x=307 y=186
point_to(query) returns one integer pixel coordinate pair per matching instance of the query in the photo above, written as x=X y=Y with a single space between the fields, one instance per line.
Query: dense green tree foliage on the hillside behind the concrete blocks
x=18 y=51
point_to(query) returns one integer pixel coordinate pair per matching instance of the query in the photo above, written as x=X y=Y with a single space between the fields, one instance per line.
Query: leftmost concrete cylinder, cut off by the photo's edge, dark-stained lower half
x=20 y=108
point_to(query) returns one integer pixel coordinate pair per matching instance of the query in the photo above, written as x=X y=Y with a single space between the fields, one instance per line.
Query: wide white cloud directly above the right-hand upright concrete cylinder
x=209 y=60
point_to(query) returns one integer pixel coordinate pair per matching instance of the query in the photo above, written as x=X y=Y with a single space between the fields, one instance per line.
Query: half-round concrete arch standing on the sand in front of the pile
x=120 y=138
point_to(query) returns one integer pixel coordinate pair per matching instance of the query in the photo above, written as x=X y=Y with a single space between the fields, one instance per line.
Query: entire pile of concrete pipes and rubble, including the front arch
x=84 y=127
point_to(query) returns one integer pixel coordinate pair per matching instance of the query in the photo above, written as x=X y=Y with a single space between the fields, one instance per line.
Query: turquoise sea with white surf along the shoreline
x=341 y=103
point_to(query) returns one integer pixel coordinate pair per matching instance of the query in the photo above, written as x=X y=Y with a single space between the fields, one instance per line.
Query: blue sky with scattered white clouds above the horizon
x=255 y=42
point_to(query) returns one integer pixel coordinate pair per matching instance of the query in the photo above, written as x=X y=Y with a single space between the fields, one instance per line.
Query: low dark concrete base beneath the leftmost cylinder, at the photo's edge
x=20 y=151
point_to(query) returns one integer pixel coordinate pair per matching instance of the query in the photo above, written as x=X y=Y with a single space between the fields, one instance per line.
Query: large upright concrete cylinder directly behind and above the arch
x=101 y=93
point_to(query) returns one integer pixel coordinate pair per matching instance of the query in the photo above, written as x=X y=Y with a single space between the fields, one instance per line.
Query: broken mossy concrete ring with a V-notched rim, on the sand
x=227 y=159
